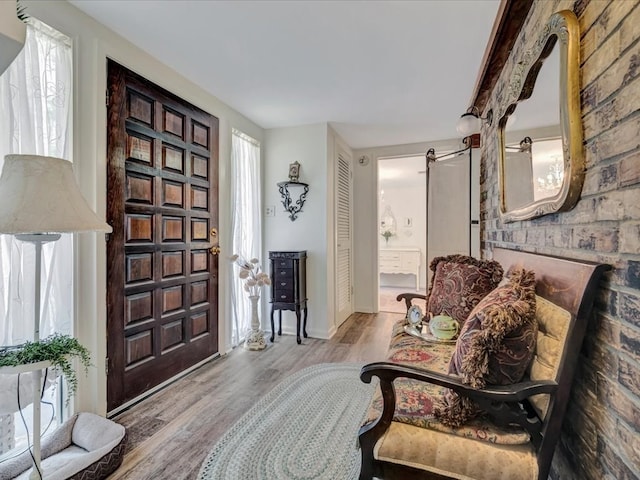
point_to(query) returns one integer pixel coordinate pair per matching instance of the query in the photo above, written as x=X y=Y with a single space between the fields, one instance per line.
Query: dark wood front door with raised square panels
x=162 y=201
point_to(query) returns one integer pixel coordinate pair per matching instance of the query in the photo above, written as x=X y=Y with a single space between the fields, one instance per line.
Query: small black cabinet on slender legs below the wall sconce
x=289 y=288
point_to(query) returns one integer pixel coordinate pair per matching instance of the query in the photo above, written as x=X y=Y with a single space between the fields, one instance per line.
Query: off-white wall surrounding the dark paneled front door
x=92 y=44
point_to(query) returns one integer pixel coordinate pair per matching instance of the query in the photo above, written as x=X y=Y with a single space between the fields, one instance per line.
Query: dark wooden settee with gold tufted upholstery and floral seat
x=516 y=436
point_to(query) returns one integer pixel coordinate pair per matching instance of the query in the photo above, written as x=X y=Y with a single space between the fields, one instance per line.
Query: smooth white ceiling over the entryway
x=381 y=72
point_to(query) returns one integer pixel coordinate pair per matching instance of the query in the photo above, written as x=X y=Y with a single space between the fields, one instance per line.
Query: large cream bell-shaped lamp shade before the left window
x=40 y=195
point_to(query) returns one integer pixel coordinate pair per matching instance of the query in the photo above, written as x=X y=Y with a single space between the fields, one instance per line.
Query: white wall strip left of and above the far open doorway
x=365 y=224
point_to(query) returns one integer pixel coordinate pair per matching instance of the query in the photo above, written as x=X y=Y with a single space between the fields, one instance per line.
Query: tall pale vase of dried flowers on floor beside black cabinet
x=254 y=279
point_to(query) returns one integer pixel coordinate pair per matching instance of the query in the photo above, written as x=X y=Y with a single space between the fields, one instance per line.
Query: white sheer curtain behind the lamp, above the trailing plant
x=35 y=113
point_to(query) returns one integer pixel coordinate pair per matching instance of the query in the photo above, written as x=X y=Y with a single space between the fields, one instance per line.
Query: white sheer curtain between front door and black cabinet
x=245 y=223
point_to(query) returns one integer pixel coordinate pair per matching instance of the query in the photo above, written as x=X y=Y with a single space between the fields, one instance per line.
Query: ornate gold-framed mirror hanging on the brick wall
x=542 y=167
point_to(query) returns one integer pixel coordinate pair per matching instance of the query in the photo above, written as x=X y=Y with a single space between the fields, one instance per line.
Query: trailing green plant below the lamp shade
x=57 y=349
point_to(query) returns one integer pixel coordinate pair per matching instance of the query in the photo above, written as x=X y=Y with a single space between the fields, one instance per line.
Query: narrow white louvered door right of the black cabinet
x=344 y=261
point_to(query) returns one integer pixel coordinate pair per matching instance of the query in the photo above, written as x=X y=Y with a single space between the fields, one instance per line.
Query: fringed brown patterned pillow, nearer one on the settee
x=496 y=344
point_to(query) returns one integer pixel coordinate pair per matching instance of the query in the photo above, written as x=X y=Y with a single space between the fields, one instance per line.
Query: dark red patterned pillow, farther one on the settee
x=459 y=283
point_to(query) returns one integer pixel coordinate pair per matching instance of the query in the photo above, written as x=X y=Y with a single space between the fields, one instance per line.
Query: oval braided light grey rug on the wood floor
x=305 y=428
